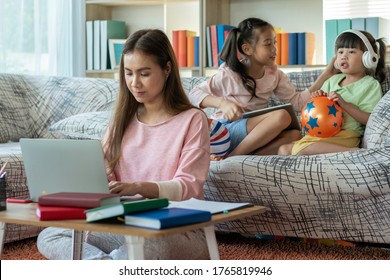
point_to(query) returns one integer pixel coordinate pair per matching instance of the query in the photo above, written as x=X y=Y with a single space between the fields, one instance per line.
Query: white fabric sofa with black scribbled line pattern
x=341 y=196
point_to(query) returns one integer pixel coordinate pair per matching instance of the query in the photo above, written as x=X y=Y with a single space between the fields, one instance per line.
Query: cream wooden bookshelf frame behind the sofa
x=170 y=15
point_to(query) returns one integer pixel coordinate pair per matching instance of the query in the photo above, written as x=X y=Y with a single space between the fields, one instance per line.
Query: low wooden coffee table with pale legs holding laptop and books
x=25 y=214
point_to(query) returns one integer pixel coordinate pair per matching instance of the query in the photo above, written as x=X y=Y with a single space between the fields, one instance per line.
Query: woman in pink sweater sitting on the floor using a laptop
x=157 y=145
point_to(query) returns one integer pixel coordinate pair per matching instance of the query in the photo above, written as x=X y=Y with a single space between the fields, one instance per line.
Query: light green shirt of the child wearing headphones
x=364 y=94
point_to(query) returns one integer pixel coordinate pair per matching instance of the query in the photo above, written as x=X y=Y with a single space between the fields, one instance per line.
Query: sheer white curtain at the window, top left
x=42 y=37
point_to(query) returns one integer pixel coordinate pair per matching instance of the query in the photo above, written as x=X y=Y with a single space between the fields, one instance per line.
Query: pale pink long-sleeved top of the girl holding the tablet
x=228 y=84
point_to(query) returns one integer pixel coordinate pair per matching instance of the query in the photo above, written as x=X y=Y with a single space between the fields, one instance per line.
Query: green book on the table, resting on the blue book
x=120 y=209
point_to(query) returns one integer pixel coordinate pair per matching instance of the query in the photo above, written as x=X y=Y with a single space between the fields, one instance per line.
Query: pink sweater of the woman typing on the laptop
x=175 y=154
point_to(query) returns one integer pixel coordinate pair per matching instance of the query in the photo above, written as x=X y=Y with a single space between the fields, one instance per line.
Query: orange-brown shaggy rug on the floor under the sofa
x=237 y=247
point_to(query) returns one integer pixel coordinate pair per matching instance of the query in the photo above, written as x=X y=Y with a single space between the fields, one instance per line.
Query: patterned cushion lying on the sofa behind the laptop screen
x=91 y=125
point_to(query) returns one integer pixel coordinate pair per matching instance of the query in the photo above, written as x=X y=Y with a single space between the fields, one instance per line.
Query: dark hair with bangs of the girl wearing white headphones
x=351 y=40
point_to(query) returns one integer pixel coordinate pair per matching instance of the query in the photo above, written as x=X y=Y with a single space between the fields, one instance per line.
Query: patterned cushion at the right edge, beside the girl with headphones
x=378 y=126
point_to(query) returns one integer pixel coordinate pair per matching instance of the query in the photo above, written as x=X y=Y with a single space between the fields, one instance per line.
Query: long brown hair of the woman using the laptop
x=154 y=43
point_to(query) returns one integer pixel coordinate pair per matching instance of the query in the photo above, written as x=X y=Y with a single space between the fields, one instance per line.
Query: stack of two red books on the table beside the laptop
x=71 y=205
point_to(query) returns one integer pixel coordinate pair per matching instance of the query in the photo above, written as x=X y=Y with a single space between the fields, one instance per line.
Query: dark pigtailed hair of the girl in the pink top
x=244 y=33
